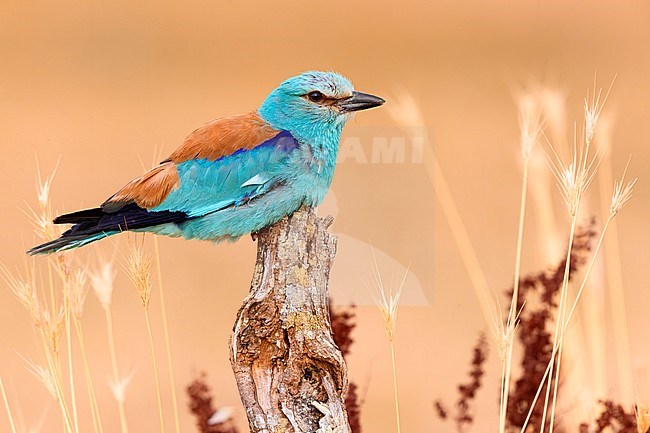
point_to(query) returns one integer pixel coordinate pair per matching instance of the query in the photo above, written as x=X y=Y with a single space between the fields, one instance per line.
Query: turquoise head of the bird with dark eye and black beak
x=313 y=101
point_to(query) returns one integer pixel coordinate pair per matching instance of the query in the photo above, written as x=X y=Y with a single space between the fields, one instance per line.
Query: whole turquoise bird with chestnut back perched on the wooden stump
x=234 y=175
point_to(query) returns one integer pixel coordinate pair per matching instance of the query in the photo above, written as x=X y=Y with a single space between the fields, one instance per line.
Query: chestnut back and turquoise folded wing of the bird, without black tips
x=224 y=163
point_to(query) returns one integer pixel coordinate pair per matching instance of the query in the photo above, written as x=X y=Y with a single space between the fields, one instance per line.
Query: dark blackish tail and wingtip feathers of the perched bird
x=91 y=225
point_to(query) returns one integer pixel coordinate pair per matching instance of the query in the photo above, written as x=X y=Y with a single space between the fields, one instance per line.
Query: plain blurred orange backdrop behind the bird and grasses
x=99 y=86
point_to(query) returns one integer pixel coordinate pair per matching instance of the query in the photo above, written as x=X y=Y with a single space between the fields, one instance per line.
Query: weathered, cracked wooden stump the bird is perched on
x=290 y=373
